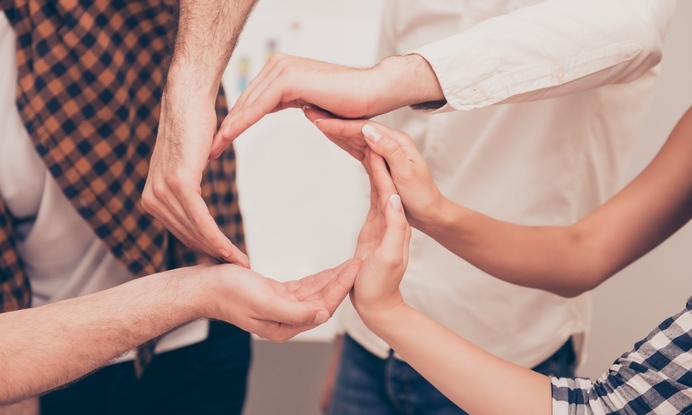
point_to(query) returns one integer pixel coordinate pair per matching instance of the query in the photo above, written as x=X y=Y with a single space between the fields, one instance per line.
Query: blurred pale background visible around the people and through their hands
x=303 y=199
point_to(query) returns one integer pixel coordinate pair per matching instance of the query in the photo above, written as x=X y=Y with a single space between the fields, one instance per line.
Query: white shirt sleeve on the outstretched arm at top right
x=551 y=49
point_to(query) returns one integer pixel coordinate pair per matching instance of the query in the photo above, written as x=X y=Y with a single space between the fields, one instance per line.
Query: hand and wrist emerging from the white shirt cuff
x=292 y=82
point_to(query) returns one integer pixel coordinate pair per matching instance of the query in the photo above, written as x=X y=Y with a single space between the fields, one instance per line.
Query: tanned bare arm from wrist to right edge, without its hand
x=573 y=259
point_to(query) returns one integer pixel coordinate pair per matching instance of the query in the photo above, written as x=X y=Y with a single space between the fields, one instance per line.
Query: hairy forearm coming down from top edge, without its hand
x=208 y=31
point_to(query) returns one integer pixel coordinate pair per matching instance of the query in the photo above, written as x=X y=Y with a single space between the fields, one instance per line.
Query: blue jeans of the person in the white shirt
x=368 y=385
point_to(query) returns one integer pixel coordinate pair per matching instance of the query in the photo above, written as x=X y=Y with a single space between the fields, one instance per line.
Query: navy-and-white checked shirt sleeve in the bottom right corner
x=654 y=378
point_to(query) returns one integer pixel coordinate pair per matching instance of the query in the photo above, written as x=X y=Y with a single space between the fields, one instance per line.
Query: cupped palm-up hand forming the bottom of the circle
x=273 y=310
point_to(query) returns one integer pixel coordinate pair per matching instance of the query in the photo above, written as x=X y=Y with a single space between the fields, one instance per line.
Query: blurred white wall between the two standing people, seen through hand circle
x=303 y=199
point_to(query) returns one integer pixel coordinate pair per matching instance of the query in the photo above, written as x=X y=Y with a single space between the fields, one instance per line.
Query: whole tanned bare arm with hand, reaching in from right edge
x=564 y=260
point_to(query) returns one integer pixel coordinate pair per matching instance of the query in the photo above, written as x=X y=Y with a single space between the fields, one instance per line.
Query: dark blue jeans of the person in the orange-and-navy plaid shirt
x=205 y=378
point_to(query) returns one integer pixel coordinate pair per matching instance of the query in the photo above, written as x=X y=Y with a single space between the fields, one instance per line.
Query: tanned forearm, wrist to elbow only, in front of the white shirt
x=543 y=257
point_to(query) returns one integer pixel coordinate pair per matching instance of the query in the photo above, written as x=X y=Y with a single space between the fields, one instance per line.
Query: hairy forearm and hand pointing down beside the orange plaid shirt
x=207 y=33
